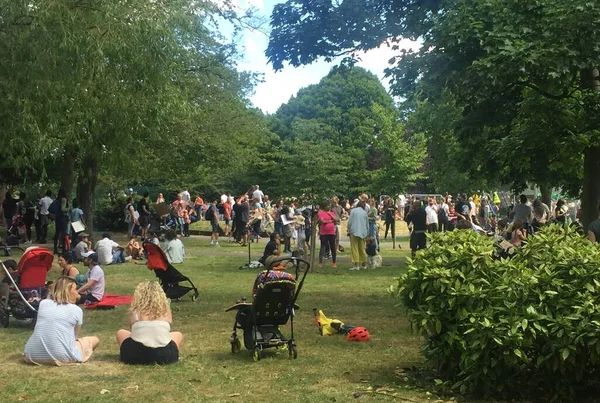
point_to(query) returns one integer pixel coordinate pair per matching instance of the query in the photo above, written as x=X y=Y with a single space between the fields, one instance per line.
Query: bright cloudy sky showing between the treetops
x=278 y=87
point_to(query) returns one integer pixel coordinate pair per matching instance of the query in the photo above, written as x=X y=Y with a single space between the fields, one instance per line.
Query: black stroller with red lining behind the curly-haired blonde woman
x=168 y=276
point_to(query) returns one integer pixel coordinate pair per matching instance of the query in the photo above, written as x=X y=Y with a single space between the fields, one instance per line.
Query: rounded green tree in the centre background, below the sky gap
x=350 y=114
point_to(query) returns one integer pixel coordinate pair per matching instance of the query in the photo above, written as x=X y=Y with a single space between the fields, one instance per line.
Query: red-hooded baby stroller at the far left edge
x=21 y=297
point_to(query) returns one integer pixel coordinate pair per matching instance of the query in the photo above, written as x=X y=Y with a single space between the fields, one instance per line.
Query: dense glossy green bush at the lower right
x=511 y=327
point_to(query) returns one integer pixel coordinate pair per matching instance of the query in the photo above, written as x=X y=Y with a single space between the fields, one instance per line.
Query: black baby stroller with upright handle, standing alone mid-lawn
x=275 y=295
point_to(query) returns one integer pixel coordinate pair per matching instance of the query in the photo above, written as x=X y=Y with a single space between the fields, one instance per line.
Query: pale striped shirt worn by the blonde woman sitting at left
x=53 y=339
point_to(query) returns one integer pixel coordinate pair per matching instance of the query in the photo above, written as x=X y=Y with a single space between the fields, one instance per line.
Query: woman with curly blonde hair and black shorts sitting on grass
x=150 y=340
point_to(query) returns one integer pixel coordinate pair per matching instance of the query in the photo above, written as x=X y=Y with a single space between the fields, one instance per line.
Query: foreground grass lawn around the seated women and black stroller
x=327 y=368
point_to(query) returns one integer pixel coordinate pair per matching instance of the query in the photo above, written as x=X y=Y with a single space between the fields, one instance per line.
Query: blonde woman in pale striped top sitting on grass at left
x=55 y=339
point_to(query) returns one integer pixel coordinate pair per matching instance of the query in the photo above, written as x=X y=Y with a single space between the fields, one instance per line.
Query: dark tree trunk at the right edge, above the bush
x=591 y=185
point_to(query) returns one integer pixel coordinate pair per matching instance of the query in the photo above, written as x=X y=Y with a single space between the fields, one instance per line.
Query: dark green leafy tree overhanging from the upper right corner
x=496 y=58
